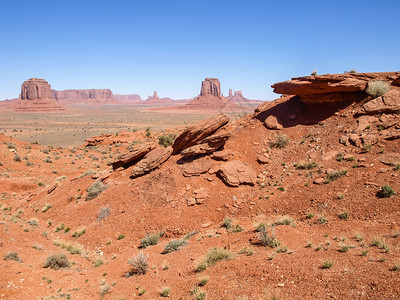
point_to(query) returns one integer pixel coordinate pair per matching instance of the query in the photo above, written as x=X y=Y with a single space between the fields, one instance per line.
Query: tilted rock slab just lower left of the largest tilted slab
x=151 y=161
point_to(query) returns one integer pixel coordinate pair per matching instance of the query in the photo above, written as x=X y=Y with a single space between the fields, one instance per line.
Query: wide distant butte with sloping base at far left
x=36 y=97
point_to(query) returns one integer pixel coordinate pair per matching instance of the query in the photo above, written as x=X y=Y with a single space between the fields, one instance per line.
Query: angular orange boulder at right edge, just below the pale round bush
x=388 y=103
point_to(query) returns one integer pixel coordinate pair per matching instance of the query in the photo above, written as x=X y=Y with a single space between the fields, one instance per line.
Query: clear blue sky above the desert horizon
x=136 y=47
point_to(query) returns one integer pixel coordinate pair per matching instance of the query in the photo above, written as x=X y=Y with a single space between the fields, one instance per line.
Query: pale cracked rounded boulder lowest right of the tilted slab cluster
x=235 y=173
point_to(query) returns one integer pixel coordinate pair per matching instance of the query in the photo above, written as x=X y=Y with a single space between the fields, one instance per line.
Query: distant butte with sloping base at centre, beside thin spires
x=210 y=97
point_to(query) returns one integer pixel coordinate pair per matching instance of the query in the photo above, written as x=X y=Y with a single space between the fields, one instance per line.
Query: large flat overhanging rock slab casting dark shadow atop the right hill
x=333 y=87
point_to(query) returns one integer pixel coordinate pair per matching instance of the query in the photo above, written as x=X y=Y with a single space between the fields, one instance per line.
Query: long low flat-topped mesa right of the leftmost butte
x=86 y=96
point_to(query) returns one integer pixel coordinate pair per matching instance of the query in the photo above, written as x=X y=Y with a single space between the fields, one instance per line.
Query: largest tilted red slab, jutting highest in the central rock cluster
x=197 y=132
